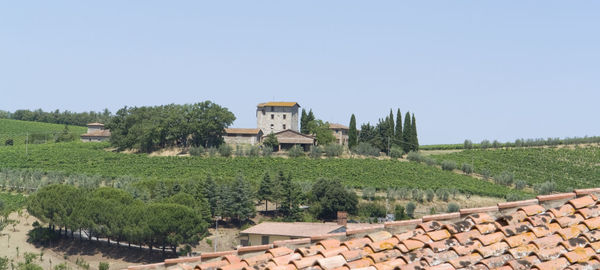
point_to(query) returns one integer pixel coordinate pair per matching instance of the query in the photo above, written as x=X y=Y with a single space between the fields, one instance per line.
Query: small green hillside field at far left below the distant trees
x=37 y=132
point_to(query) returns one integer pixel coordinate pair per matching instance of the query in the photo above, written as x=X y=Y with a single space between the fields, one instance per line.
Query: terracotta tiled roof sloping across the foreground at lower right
x=560 y=231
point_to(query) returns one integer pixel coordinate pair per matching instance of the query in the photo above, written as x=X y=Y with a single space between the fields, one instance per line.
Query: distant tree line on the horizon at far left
x=57 y=117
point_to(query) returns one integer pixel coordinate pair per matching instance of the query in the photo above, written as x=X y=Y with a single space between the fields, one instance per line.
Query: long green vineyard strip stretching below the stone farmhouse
x=92 y=159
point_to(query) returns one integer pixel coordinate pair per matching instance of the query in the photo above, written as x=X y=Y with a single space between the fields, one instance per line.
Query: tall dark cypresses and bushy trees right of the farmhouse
x=389 y=136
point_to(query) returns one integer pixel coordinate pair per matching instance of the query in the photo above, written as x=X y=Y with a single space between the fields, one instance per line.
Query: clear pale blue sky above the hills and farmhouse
x=467 y=69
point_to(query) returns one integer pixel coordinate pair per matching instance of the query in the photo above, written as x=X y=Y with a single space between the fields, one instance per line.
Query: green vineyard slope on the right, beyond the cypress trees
x=568 y=168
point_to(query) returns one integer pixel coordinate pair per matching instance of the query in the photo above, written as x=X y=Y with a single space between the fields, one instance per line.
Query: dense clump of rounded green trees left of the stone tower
x=153 y=127
